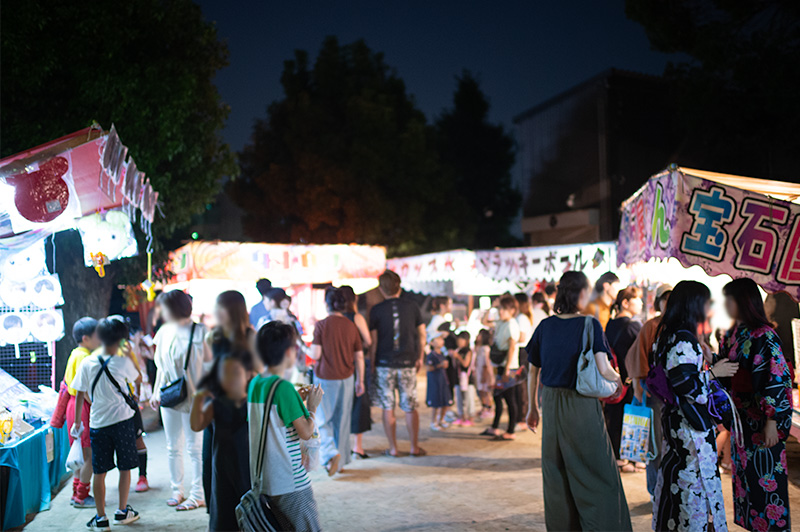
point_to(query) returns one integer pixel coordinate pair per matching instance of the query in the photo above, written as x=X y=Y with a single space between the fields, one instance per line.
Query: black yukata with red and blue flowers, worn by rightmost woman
x=761 y=390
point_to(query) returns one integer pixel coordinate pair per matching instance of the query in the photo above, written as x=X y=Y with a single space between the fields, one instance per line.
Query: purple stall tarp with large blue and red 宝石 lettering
x=725 y=224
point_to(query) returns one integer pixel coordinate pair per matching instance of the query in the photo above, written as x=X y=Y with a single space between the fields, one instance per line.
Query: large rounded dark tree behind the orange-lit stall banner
x=345 y=156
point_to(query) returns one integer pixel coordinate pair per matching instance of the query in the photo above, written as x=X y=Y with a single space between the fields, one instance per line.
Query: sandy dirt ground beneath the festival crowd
x=467 y=482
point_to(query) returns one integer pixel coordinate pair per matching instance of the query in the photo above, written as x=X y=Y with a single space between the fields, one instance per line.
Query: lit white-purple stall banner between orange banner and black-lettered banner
x=446 y=273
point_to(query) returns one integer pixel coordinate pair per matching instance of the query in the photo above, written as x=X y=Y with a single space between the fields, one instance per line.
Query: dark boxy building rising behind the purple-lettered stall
x=585 y=151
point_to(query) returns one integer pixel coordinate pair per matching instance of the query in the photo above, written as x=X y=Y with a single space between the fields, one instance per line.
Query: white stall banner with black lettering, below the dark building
x=547 y=263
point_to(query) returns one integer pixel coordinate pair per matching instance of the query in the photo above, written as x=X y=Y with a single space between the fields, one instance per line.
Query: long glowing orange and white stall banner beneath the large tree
x=283 y=264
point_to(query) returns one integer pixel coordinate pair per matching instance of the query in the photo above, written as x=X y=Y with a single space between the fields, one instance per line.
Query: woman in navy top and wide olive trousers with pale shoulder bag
x=582 y=487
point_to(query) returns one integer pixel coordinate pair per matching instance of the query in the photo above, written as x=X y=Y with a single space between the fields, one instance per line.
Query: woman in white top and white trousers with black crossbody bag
x=172 y=343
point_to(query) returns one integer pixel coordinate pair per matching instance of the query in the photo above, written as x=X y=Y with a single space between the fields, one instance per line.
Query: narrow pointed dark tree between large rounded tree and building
x=480 y=156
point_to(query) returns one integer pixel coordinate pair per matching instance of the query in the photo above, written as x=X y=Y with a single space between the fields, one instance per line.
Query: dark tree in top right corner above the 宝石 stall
x=736 y=88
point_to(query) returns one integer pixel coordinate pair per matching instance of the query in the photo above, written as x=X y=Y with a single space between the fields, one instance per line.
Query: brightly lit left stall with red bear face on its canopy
x=83 y=180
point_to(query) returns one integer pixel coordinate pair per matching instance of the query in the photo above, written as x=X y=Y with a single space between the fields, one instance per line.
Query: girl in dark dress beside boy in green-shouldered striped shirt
x=221 y=403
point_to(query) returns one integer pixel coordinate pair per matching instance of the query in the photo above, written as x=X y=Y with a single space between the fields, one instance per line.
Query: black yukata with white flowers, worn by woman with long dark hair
x=689 y=490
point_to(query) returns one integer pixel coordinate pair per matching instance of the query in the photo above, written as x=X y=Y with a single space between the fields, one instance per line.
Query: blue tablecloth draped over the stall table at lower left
x=31 y=477
